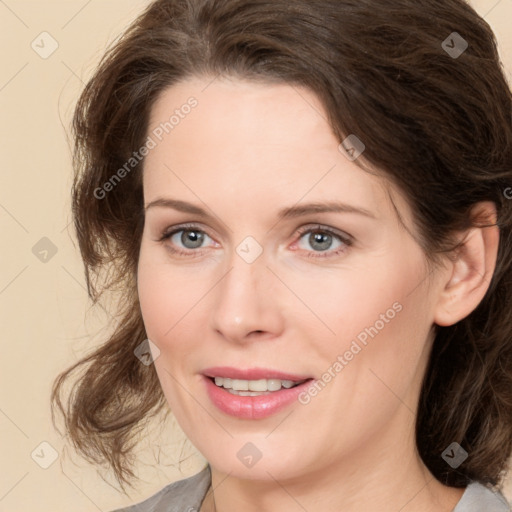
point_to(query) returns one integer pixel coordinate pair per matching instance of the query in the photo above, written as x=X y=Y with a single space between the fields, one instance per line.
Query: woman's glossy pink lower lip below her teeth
x=253 y=407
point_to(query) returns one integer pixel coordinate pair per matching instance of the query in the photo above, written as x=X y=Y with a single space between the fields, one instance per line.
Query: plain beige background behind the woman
x=45 y=320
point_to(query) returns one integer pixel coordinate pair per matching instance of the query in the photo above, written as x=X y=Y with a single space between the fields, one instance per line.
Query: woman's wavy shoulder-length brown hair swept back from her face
x=438 y=126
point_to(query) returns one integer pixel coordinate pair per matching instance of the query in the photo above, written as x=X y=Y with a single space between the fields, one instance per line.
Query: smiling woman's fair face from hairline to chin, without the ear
x=252 y=276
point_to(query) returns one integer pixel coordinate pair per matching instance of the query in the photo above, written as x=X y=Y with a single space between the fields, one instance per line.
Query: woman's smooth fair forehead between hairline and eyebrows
x=252 y=139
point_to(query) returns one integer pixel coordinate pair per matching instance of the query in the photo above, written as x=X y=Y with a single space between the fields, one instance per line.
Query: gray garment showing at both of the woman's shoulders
x=188 y=494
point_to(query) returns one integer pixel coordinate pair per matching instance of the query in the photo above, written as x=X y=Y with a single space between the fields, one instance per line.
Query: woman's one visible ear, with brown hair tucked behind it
x=471 y=269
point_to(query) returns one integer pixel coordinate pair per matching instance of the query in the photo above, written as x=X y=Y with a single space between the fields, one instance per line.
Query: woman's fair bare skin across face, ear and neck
x=247 y=150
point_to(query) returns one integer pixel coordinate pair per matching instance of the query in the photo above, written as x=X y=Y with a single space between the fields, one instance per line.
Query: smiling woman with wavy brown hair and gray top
x=304 y=206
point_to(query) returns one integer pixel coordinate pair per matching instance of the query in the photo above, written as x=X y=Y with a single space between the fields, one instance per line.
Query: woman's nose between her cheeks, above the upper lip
x=247 y=303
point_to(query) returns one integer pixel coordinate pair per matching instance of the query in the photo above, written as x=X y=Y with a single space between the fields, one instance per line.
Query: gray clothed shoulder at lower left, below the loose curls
x=184 y=496
